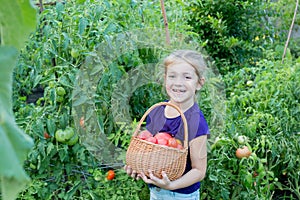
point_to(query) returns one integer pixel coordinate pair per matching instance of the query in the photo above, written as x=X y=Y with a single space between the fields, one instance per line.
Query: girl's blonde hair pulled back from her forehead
x=194 y=58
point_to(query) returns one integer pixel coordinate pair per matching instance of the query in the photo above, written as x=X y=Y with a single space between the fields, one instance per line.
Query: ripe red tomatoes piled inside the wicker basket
x=161 y=138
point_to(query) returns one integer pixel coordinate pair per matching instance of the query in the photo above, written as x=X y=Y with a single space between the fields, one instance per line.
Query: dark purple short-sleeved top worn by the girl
x=197 y=126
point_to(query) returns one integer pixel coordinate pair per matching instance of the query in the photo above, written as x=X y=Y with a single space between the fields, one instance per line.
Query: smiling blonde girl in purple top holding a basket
x=184 y=76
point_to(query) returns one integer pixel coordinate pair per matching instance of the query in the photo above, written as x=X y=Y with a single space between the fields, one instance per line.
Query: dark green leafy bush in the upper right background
x=237 y=32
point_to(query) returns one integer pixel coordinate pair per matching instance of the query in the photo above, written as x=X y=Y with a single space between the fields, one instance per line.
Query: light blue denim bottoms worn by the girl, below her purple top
x=162 y=194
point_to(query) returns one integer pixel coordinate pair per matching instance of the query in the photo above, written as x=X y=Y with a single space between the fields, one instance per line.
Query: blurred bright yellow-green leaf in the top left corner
x=17 y=21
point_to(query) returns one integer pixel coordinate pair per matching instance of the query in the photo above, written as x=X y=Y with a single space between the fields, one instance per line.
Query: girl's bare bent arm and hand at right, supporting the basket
x=198 y=153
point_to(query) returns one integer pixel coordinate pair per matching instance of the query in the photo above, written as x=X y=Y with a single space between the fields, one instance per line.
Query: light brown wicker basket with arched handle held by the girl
x=143 y=156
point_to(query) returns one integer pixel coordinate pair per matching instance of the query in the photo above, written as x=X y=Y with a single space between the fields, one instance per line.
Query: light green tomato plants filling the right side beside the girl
x=263 y=105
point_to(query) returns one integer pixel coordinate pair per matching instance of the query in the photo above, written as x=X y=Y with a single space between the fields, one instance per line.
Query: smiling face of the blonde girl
x=181 y=83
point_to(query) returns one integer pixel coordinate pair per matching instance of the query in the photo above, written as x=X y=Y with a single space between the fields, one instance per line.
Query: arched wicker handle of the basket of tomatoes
x=185 y=126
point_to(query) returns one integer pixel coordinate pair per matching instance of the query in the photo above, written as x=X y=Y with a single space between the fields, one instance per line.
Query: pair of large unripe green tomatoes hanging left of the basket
x=66 y=136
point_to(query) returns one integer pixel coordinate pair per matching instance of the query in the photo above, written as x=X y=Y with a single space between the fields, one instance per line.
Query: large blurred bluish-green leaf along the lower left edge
x=15 y=145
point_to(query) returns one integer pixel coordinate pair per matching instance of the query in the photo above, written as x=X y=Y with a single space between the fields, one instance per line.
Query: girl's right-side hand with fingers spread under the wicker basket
x=164 y=182
